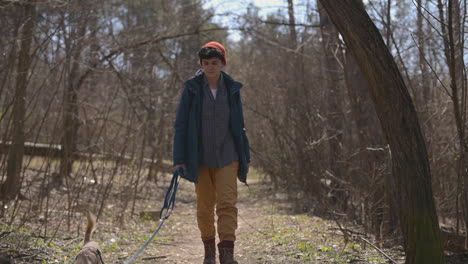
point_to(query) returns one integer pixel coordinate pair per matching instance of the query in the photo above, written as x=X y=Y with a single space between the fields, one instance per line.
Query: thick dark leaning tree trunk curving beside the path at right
x=395 y=109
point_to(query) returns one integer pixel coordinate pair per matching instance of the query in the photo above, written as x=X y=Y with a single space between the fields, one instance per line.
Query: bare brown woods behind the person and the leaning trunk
x=89 y=90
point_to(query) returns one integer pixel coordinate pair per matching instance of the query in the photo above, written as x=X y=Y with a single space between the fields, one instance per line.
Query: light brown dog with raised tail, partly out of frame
x=90 y=253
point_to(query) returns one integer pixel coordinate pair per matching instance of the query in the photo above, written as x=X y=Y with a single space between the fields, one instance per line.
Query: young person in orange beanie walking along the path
x=211 y=145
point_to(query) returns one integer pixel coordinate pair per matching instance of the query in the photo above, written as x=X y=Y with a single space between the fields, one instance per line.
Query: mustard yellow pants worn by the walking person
x=217 y=187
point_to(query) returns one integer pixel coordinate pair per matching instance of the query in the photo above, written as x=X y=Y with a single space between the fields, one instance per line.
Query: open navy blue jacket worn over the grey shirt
x=187 y=138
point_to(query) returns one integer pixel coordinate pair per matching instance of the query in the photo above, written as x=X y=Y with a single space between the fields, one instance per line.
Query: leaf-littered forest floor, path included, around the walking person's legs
x=269 y=232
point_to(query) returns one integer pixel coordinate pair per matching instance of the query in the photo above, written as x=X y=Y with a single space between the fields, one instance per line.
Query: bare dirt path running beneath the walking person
x=181 y=229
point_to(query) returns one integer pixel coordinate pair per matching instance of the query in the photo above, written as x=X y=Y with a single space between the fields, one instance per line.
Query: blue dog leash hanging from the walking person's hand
x=166 y=210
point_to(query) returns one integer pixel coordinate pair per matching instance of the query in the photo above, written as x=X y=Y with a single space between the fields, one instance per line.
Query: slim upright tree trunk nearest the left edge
x=11 y=187
